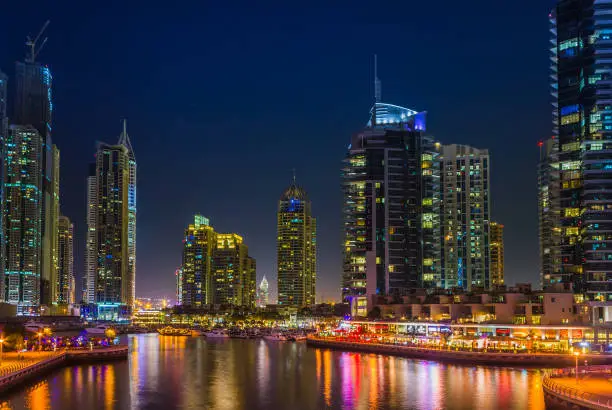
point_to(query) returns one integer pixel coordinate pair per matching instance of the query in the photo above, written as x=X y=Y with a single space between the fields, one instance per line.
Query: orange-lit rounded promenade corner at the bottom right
x=591 y=390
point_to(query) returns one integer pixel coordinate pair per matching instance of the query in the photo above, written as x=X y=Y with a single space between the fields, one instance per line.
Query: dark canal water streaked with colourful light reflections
x=191 y=373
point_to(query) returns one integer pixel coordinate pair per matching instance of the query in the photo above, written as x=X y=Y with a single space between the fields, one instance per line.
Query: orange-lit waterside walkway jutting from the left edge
x=14 y=369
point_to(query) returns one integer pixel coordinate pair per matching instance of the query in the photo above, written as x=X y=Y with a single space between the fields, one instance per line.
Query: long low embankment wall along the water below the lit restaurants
x=486 y=358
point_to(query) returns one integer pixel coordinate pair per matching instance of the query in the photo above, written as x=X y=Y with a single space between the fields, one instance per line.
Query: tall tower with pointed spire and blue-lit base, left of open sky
x=111 y=280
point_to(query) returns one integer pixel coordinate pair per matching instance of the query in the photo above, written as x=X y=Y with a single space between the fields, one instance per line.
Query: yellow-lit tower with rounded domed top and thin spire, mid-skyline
x=296 y=248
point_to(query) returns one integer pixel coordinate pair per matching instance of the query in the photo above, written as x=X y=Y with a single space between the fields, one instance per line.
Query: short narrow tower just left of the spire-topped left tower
x=65 y=266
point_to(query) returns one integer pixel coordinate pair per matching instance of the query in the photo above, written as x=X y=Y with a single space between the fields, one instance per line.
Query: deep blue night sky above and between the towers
x=223 y=101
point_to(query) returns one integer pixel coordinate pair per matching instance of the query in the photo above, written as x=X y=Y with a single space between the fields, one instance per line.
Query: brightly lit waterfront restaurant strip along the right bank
x=462 y=336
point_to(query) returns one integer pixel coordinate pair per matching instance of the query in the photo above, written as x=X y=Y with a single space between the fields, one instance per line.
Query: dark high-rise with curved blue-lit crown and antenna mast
x=391 y=208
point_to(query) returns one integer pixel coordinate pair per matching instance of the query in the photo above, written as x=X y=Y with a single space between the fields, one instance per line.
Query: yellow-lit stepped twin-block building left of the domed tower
x=216 y=268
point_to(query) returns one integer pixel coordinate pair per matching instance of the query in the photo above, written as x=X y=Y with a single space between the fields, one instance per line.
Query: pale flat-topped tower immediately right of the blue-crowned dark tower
x=464 y=212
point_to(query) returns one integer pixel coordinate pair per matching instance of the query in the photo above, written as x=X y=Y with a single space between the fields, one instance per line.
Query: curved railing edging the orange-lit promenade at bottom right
x=590 y=400
